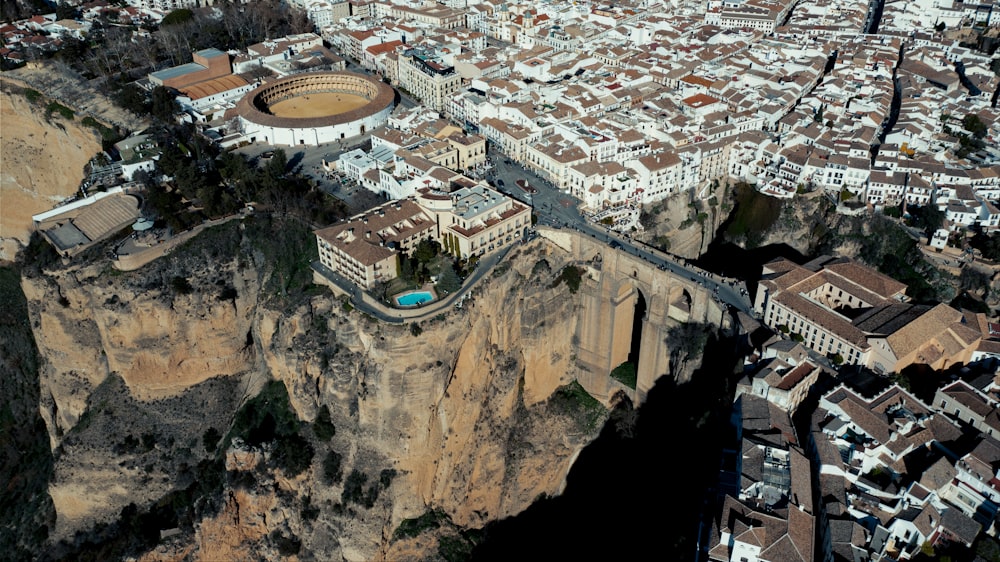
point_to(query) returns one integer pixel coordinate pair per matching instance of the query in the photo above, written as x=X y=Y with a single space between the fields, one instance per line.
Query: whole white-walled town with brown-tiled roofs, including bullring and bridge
x=417 y=147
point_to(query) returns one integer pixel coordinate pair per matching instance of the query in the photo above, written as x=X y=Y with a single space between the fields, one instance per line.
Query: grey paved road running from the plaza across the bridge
x=557 y=209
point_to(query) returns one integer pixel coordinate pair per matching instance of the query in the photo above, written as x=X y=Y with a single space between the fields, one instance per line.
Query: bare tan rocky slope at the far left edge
x=41 y=163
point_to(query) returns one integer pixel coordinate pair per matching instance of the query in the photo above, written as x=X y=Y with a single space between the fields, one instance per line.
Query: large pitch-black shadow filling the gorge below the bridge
x=638 y=490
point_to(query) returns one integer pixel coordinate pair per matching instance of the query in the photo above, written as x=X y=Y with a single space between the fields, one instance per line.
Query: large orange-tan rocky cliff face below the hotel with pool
x=456 y=414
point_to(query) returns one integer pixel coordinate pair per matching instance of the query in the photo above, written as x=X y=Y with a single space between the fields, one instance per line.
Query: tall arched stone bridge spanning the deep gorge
x=617 y=283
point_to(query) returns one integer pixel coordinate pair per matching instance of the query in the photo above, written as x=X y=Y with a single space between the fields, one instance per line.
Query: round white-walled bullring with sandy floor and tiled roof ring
x=315 y=108
